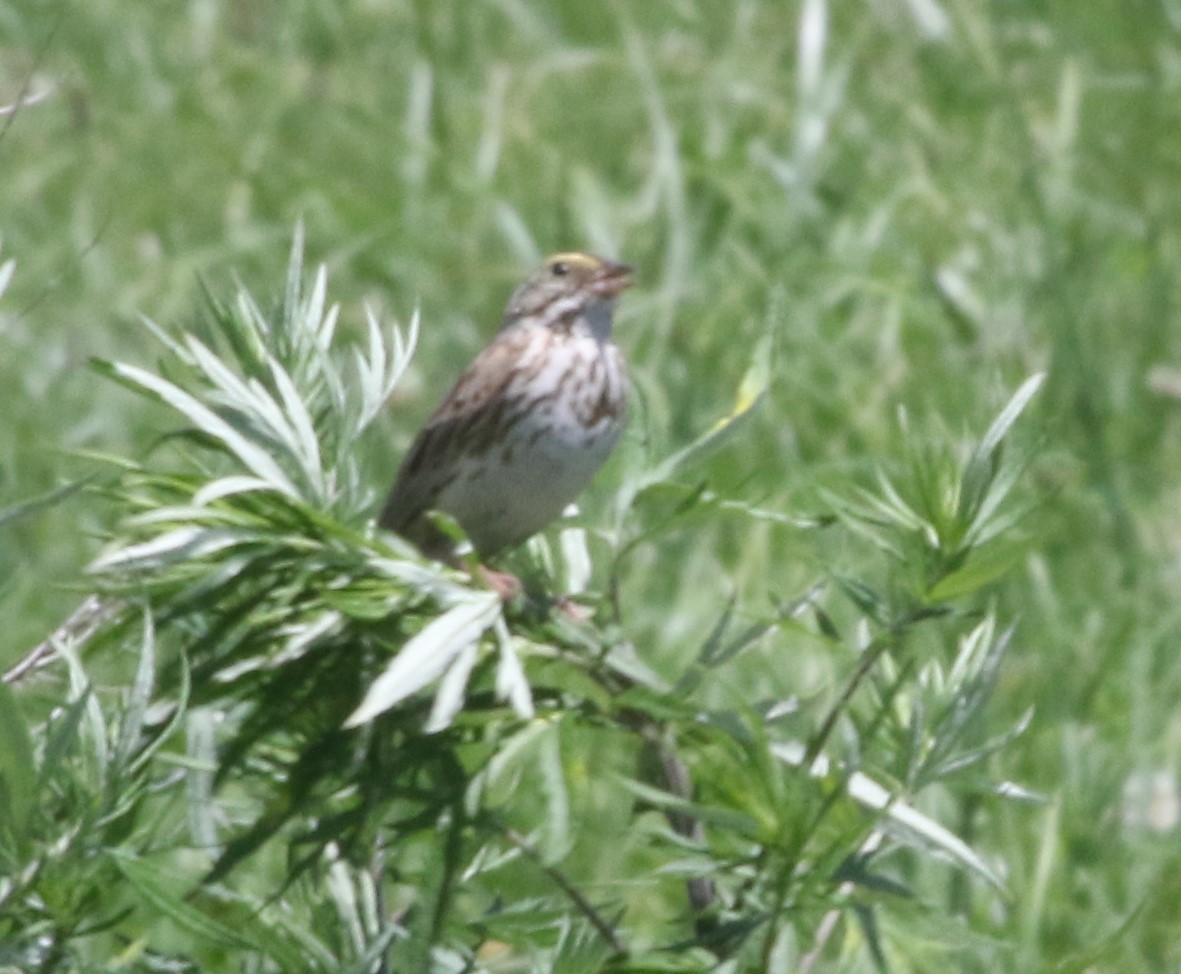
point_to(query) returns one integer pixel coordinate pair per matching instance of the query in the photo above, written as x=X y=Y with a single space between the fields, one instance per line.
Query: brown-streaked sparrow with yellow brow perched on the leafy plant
x=526 y=428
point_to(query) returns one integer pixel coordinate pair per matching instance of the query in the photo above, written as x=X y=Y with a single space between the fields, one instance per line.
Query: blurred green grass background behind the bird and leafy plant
x=922 y=201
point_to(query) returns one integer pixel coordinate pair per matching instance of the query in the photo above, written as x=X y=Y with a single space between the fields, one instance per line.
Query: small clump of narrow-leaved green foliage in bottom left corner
x=76 y=790
